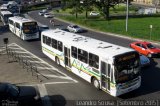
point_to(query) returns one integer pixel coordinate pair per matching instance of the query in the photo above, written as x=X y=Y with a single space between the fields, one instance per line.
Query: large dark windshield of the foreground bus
x=127 y=67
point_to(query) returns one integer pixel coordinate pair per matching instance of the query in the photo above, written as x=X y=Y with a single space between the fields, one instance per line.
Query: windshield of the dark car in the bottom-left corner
x=12 y=90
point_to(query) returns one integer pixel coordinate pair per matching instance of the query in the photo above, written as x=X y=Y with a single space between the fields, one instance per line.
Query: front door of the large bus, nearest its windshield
x=105 y=76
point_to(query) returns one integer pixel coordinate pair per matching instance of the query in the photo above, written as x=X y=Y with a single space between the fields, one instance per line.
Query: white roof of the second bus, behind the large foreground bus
x=20 y=19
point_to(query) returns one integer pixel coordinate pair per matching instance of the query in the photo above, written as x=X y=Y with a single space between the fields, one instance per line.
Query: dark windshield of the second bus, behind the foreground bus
x=30 y=27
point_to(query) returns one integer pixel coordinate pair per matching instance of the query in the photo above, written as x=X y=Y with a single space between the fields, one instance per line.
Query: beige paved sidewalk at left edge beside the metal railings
x=12 y=72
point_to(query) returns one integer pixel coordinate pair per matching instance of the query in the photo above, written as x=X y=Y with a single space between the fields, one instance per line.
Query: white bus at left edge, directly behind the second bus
x=4 y=16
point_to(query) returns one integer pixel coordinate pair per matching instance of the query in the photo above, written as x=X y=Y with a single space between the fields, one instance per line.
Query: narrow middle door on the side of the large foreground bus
x=67 y=57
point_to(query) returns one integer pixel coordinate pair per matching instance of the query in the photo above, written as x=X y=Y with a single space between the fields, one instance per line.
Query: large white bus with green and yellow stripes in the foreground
x=109 y=67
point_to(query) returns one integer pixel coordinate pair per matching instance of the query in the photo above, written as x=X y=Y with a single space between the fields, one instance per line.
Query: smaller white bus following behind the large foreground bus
x=24 y=28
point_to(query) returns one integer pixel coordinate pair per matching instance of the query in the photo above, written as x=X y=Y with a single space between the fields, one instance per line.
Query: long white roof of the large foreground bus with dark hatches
x=104 y=49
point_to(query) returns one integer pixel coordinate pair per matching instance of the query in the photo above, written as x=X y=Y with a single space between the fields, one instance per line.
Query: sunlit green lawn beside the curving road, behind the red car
x=137 y=27
